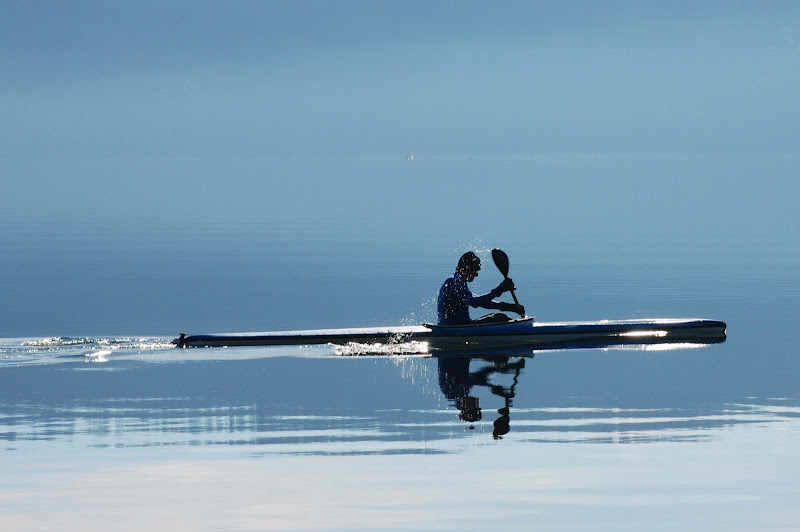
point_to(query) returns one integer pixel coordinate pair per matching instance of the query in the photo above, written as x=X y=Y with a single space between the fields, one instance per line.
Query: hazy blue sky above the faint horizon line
x=362 y=78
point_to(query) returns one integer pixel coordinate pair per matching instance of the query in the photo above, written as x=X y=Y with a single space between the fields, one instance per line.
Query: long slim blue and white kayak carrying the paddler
x=515 y=332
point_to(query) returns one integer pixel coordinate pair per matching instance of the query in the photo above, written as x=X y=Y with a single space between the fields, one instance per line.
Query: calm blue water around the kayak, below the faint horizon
x=101 y=416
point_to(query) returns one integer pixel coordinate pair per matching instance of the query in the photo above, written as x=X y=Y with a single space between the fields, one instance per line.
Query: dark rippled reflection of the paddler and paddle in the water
x=456 y=382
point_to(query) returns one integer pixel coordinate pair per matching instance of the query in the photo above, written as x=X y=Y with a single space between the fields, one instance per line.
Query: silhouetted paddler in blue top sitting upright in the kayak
x=455 y=297
